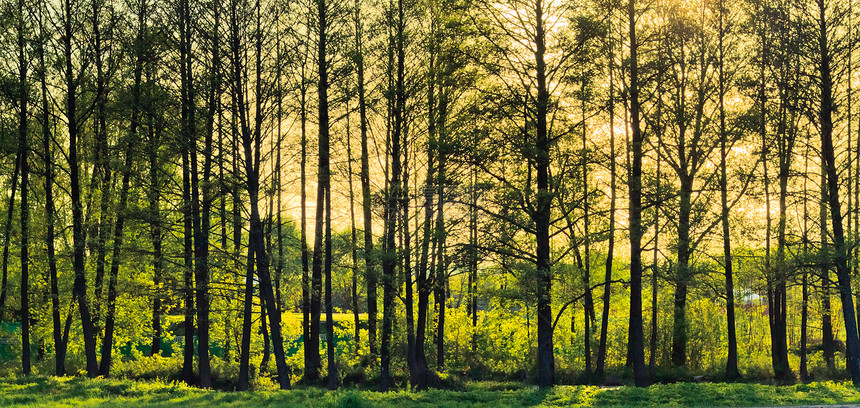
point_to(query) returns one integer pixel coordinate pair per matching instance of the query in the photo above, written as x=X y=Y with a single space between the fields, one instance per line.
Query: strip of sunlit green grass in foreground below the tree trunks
x=80 y=392
